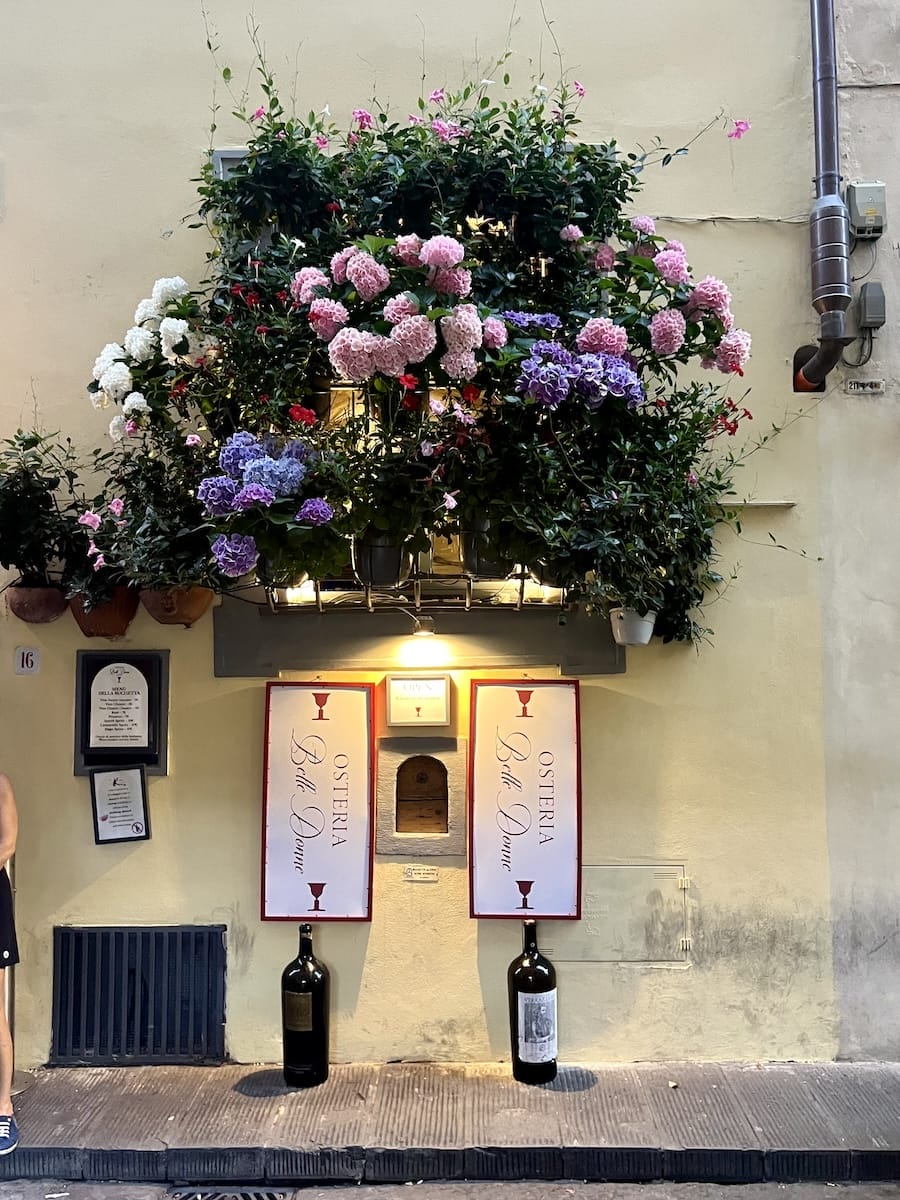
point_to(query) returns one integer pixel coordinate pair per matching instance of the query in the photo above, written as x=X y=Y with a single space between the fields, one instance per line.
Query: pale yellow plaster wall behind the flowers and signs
x=712 y=759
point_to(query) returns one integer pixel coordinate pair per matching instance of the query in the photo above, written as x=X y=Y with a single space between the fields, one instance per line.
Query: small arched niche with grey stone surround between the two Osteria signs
x=421 y=797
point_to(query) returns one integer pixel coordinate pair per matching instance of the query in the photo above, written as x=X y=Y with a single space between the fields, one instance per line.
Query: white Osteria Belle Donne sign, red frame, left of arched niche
x=319 y=802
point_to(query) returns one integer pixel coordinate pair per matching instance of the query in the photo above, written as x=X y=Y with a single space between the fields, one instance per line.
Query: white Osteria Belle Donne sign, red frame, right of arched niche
x=525 y=800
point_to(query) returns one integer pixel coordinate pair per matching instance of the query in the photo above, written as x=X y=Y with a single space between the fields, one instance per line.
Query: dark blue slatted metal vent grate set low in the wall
x=125 y=995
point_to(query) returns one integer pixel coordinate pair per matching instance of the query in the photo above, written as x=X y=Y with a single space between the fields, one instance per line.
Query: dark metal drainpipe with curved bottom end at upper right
x=829 y=224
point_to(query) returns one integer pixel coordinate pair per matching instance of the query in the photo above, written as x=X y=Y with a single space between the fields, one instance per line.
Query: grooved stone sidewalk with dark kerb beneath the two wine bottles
x=407 y=1123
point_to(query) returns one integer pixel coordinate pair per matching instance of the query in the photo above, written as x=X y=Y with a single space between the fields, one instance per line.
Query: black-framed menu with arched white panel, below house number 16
x=122 y=709
